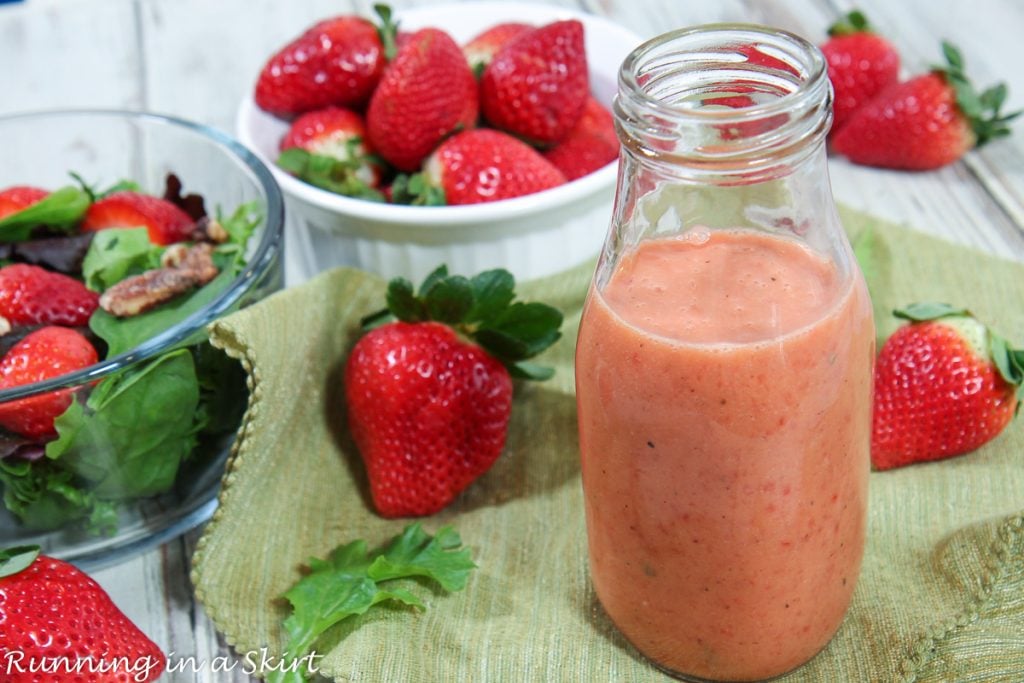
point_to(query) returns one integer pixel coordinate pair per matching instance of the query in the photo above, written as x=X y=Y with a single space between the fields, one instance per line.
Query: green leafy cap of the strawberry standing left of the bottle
x=482 y=309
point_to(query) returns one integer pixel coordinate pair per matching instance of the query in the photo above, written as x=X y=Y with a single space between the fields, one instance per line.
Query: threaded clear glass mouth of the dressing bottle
x=724 y=97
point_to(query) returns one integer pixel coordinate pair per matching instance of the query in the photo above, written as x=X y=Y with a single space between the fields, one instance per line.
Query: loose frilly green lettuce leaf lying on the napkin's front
x=349 y=583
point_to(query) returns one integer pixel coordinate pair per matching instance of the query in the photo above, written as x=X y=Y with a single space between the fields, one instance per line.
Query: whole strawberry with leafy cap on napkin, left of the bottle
x=430 y=397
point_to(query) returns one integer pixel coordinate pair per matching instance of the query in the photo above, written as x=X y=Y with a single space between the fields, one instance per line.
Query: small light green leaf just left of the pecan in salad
x=118 y=253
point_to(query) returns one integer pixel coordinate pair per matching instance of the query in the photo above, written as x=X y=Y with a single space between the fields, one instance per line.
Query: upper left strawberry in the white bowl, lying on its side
x=336 y=62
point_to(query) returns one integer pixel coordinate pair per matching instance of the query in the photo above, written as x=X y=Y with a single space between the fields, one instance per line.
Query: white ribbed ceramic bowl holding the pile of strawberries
x=533 y=236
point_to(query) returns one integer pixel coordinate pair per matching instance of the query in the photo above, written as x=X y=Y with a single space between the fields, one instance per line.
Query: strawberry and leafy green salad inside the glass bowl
x=89 y=276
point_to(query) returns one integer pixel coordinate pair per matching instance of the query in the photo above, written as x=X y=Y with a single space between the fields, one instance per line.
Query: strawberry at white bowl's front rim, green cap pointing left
x=479 y=165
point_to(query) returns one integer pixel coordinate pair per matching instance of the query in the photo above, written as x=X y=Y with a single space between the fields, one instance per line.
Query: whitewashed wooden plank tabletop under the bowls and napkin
x=196 y=59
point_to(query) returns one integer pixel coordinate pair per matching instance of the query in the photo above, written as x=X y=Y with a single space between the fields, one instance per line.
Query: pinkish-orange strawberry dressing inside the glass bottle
x=724 y=382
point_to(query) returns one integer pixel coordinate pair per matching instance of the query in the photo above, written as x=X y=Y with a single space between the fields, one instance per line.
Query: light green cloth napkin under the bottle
x=941 y=599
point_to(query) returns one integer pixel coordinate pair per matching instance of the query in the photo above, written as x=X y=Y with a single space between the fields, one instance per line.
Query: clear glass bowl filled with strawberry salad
x=113 y=455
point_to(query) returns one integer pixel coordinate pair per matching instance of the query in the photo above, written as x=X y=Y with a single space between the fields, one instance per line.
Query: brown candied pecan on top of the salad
x=182 y=272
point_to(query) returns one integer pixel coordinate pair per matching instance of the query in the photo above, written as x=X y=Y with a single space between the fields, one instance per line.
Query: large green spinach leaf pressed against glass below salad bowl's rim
x=135 y=431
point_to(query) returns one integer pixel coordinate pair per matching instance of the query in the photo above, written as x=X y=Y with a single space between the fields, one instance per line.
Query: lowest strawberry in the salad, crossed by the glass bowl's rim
x=44 y=355
